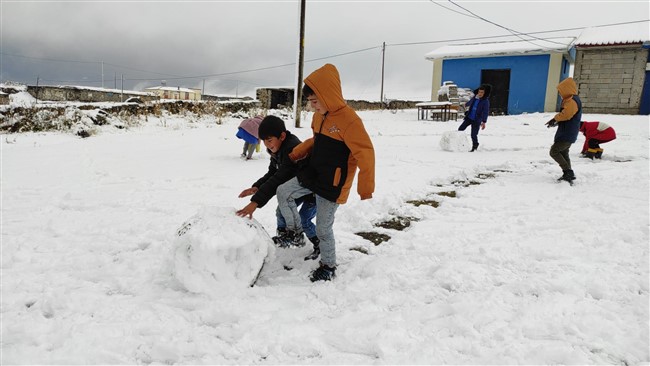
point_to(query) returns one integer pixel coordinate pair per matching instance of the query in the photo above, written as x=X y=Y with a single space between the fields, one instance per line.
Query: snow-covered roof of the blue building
x=509 y=48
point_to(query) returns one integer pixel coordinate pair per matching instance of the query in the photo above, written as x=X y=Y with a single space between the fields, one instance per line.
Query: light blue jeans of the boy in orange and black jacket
x=287 y=194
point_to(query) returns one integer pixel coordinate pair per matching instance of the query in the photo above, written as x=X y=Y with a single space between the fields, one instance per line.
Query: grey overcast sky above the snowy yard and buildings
x=214 y=45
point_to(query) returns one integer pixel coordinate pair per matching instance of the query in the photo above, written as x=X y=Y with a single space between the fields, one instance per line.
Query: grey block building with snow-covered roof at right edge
x=612 y=69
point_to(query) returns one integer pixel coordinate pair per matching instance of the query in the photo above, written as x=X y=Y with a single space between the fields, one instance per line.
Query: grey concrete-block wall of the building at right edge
x=610 y=79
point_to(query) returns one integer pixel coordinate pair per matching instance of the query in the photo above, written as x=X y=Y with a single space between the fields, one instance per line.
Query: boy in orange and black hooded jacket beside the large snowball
x=339 y=146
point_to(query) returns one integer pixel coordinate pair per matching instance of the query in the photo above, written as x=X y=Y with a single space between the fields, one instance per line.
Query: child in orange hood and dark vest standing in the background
x=568 y=124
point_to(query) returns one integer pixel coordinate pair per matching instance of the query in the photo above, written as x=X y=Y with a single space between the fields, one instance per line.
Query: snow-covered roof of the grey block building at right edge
x=618 y=34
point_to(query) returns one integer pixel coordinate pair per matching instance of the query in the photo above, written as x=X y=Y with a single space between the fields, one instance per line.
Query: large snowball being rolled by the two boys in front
x=215 y=249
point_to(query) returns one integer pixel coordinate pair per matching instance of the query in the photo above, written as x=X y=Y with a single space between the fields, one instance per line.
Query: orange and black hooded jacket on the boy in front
x=339 y=146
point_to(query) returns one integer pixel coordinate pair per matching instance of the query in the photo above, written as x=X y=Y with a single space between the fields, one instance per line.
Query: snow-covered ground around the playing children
x=518 y=269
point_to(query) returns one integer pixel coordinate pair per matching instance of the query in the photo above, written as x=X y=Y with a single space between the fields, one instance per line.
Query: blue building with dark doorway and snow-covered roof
x=523 y=74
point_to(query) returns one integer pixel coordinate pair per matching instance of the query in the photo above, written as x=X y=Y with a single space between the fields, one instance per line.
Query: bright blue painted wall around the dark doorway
x=528 y=75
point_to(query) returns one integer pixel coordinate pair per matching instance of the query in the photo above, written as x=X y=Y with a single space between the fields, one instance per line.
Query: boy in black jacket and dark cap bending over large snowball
x=279 y=143
